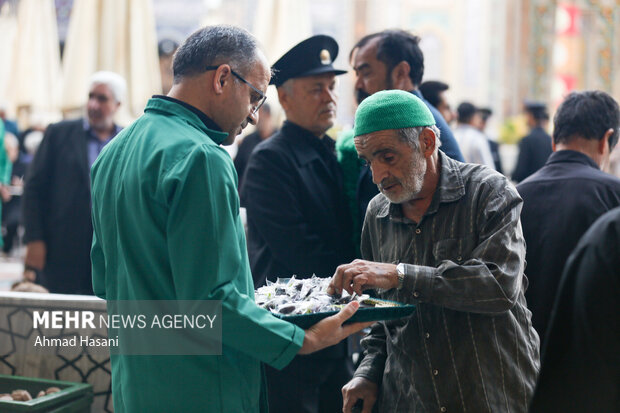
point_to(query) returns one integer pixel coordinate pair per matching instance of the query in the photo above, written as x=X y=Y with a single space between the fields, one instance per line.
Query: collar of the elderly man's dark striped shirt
x=450 y=188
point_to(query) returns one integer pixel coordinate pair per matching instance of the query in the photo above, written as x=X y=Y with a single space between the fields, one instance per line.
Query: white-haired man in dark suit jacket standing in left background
x=56 y=200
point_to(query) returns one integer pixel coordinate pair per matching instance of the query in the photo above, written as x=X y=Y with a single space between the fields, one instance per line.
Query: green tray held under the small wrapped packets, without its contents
x=399 y=310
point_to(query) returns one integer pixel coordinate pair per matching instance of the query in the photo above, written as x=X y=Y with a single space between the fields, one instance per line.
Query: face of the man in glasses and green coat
x=241 y=99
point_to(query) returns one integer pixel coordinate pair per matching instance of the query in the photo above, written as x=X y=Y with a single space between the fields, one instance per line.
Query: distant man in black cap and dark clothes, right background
x=535 y=148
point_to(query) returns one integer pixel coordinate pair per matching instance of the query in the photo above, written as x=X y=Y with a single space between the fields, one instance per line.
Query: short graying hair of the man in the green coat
x=213 y=46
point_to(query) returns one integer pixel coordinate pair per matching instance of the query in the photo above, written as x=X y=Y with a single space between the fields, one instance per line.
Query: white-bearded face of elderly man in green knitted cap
x=398 y=169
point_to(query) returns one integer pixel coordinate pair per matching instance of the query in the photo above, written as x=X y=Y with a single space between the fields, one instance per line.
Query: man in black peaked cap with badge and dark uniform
x=298 y=222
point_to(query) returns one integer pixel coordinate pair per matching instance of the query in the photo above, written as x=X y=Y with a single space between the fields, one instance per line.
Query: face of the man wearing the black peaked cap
x=310 y=102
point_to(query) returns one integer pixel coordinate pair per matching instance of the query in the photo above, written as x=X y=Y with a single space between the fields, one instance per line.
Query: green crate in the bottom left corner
x=72 y=397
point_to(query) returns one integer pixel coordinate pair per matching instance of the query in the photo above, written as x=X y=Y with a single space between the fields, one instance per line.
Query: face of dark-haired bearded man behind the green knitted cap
x=371 y=74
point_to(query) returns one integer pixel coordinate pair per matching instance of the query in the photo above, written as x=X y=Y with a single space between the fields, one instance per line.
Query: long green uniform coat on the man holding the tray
x=167 y=227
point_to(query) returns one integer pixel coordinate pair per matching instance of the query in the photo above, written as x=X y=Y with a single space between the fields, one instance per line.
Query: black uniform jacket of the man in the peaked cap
x=298 y=222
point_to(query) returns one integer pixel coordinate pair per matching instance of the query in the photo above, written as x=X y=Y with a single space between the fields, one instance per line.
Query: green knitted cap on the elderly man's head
x=391 y=109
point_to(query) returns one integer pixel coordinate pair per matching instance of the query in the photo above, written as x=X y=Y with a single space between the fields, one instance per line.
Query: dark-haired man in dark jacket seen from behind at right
x=568 y=194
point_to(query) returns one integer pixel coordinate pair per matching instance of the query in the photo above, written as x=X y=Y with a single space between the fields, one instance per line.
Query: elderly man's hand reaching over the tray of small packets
x=360 y=275
